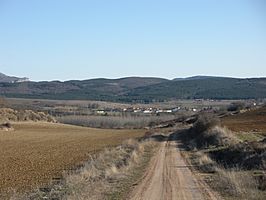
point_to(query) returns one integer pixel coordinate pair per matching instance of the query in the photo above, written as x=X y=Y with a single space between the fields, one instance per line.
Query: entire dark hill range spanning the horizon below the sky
x=139 y=89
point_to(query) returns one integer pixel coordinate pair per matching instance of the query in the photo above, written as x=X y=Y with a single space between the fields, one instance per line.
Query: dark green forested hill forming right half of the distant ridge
x=206 y=88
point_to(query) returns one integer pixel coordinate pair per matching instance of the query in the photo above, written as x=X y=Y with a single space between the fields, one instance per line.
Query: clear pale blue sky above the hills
x=61 y=39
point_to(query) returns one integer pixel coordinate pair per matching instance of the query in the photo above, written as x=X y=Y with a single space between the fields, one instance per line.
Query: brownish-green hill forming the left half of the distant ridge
x=93 y=89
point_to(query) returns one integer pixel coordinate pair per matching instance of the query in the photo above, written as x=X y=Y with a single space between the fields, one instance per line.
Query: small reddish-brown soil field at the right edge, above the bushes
x=250 y=121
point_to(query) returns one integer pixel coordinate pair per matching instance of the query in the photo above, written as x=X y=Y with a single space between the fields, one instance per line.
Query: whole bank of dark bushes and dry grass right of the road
x=229 y=164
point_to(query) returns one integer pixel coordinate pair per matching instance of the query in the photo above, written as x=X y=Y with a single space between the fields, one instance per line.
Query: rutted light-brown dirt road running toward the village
x=169 y=178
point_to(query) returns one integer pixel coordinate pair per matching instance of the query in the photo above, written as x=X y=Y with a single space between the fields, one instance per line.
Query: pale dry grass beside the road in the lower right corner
x=233 y=183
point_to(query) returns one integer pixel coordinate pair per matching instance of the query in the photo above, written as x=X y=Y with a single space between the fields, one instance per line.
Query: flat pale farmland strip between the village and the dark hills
x=88 y=107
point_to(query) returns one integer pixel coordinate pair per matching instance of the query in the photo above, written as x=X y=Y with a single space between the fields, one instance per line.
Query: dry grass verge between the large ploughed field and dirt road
x=98 y=179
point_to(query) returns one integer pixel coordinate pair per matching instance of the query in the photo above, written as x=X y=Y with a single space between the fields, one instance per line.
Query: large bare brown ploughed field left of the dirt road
x=35 y=153
